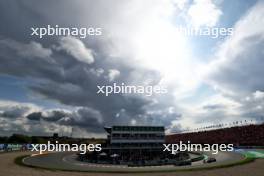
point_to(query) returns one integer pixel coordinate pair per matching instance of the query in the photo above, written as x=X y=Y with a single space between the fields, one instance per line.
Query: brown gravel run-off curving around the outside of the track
x=9 y=168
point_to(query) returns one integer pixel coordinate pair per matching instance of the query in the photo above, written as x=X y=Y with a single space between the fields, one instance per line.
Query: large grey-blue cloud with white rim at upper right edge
x=240 y=65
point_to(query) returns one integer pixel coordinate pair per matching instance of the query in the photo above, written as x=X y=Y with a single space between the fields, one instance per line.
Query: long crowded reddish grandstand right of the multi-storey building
x=249 y=135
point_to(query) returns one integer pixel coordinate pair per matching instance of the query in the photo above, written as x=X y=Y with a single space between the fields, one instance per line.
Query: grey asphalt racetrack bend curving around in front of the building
x=68 y=161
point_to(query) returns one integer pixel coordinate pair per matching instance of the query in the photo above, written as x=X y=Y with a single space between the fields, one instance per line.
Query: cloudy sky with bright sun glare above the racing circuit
x=49 y=85
